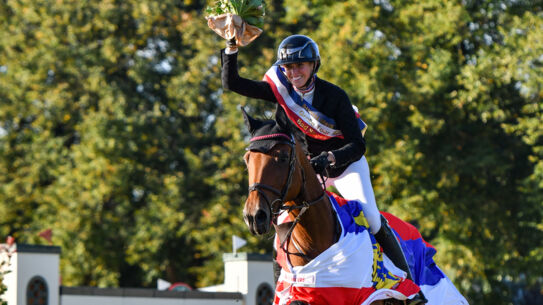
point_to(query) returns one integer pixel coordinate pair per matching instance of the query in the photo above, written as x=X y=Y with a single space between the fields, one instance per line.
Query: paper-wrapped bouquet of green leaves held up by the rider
x=238 y=19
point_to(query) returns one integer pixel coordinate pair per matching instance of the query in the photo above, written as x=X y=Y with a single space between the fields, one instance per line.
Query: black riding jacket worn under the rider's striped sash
x=328 y=98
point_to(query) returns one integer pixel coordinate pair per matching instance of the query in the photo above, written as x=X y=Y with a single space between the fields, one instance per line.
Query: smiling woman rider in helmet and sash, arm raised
x=325 y=115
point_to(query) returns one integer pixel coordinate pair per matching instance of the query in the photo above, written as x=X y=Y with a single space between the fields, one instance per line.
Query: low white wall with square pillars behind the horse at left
x=244 y=273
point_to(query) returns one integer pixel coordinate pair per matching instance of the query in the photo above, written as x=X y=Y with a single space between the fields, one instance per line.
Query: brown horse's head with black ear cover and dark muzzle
x=274 y=173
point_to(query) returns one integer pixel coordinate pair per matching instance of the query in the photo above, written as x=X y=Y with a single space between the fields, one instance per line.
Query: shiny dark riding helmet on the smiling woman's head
x=298 y=48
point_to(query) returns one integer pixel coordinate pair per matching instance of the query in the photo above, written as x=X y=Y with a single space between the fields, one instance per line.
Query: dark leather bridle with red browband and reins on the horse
x=277 y=206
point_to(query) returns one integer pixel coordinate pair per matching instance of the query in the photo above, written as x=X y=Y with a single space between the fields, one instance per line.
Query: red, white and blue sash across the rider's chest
x=308 y=119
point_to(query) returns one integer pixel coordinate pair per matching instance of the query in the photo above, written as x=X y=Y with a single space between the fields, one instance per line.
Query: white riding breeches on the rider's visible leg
x=355 y=184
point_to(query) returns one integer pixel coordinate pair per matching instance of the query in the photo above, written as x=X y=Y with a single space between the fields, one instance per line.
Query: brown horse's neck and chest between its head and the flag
x=316 y=230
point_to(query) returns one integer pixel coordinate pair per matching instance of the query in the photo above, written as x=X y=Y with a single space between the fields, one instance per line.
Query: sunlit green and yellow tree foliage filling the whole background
x=115 y=132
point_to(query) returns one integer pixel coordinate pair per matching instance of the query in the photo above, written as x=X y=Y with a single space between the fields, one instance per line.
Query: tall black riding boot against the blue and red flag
x=391 y=246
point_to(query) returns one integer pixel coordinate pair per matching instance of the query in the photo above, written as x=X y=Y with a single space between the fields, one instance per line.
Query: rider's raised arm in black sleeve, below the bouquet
x=247 y=87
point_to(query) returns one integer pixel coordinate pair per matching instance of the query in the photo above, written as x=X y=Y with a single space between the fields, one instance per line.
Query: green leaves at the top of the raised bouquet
x=252 y=11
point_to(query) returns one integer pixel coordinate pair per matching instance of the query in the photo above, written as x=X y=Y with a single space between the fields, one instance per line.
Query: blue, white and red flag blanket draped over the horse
x=355 y=271
